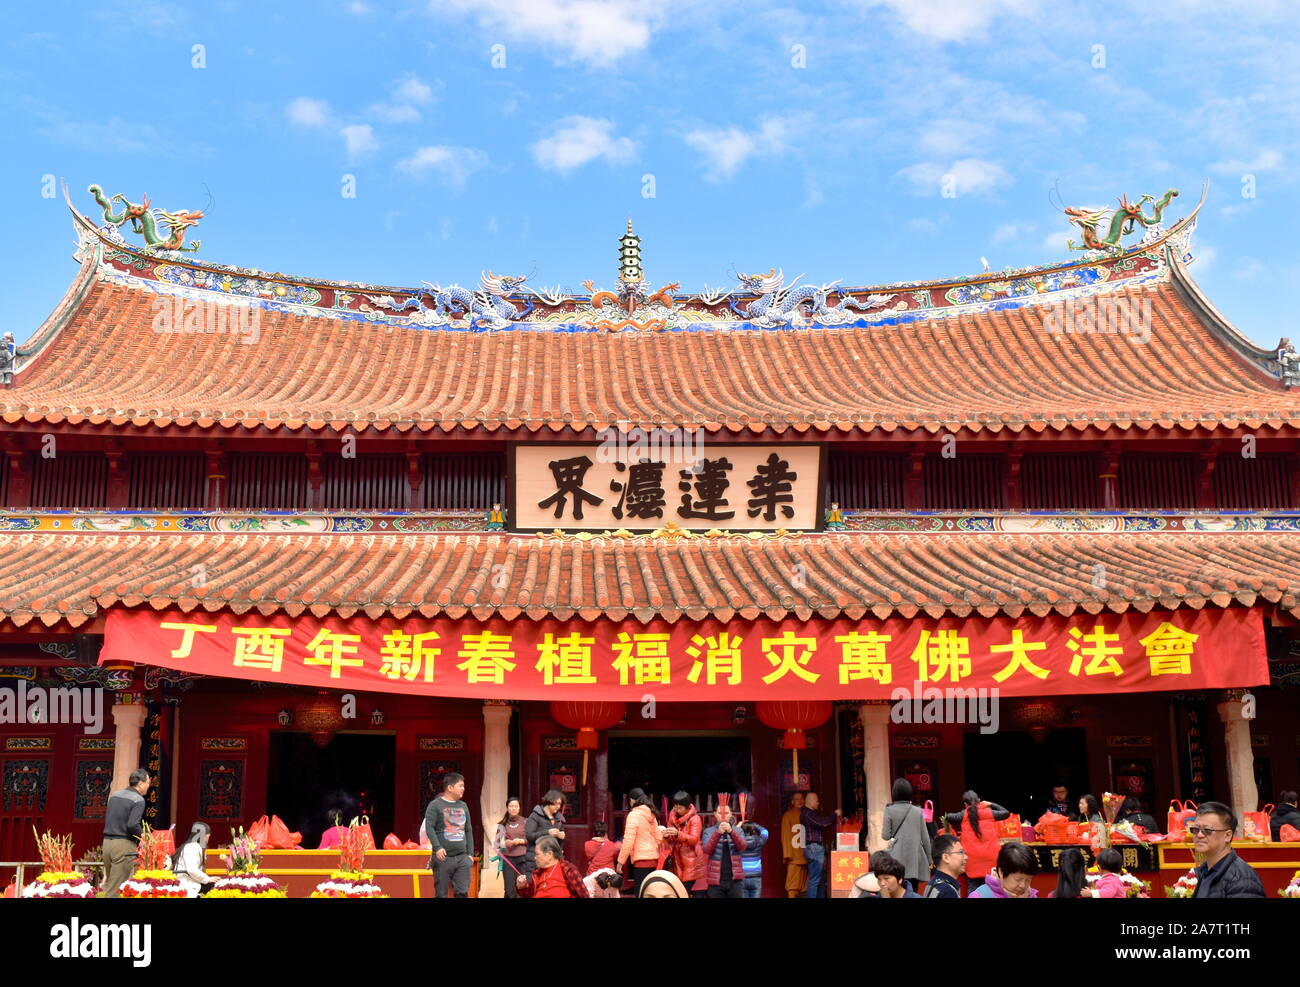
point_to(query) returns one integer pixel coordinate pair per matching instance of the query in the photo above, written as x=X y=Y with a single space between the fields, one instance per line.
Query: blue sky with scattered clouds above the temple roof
x=509 y=133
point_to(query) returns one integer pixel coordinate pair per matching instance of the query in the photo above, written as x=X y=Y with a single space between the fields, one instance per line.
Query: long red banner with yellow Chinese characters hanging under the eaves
x=709 y=660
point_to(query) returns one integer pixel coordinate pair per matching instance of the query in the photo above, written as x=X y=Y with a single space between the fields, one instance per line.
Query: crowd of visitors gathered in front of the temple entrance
x=679 y=856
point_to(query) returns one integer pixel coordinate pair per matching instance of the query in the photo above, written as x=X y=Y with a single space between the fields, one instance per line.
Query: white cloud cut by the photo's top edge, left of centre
x=582 y=31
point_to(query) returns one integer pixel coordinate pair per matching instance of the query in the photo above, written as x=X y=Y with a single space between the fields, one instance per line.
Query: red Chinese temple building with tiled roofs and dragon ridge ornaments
x=326 y=542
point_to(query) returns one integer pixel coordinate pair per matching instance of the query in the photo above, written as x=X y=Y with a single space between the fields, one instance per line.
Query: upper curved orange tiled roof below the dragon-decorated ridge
x=996 y=373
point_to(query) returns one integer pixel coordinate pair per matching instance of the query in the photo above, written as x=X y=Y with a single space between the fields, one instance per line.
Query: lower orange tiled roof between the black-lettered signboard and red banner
x=51 y=579
